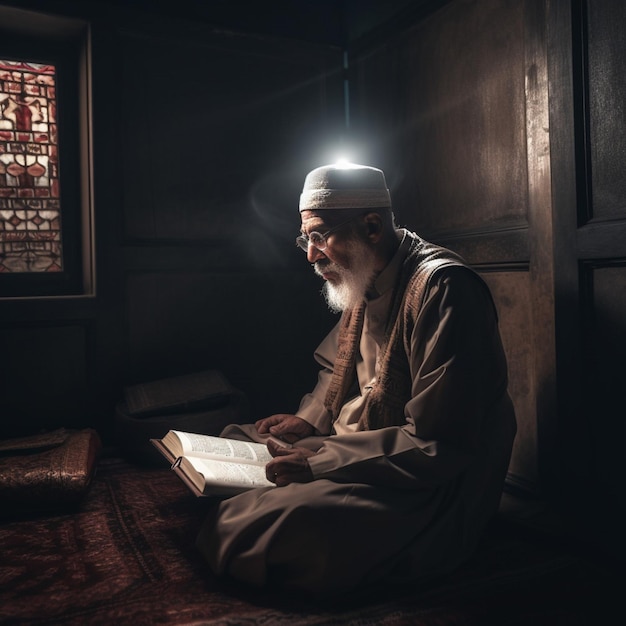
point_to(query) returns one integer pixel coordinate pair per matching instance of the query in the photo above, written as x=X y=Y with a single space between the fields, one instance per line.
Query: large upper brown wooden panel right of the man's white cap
x=454 y=140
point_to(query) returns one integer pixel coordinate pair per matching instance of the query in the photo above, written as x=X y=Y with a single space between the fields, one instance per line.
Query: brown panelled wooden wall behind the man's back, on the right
x=501 y=127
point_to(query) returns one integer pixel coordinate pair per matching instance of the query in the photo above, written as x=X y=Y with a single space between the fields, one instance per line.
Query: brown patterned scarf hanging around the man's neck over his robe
x=384 y=405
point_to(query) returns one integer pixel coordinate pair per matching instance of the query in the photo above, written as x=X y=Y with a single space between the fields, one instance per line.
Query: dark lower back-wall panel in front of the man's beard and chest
x=260 y=330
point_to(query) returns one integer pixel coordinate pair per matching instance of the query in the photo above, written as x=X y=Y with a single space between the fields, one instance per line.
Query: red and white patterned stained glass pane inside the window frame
x=30 y=201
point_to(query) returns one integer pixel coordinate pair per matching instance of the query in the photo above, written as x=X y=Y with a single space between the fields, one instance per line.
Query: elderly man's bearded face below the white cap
x=347 y=263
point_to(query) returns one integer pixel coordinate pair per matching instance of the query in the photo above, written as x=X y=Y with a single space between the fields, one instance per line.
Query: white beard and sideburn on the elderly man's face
x=353 y=284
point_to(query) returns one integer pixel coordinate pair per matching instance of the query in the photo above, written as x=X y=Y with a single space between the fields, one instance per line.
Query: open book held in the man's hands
x=215 y=465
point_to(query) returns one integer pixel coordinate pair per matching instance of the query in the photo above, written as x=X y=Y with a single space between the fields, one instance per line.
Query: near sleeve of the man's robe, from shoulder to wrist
x=459 y=374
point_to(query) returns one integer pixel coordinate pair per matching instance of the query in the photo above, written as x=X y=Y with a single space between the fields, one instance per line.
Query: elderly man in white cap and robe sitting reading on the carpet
x=400 y=451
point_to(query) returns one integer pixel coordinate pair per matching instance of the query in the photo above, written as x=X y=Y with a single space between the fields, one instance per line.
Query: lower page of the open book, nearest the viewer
x=225 y=476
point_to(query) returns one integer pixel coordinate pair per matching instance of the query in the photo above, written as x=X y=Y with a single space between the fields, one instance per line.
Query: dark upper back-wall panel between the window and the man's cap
x=214 y=130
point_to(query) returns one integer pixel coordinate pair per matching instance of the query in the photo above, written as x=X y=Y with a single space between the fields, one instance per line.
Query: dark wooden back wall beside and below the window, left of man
x=201 y=140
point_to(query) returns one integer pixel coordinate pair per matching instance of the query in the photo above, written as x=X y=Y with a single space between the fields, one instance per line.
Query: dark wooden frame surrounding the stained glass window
x=63 y=42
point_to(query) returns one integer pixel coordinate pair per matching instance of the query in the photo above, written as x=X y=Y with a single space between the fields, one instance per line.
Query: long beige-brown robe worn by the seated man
x=397 y=504
